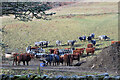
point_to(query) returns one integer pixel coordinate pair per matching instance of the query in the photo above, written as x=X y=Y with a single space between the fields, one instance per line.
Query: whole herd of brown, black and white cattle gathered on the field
x=58 y=56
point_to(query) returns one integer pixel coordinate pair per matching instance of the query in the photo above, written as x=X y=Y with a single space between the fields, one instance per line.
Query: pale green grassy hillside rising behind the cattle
x=63 y=26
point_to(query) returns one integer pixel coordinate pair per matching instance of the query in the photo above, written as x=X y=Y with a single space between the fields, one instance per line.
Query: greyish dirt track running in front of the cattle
x=34 y=64
